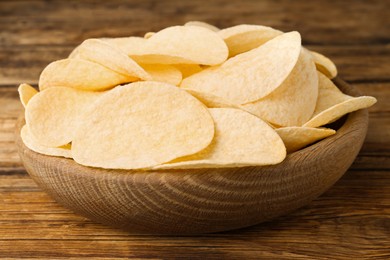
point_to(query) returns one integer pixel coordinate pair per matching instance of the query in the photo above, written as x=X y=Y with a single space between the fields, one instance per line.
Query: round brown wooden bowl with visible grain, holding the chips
x=201 y=200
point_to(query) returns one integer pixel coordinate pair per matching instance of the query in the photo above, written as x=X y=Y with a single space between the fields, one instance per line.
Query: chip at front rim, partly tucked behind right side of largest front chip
x=241 y=139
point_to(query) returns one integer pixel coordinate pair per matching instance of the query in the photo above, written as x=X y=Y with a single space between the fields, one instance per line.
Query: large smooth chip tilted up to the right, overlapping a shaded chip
x=252 y=75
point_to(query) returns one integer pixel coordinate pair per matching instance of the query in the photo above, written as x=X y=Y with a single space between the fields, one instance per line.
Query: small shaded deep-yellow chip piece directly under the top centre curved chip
x=163 y=73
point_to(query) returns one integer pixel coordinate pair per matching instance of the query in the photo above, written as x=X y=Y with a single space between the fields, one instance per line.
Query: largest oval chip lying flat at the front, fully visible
x=141 y=125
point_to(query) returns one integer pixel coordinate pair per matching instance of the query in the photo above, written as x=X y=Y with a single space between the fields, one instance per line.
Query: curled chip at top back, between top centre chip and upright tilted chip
x=245 y=37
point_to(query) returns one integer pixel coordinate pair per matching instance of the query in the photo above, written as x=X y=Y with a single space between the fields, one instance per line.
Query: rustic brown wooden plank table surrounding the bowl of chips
x=352 y=219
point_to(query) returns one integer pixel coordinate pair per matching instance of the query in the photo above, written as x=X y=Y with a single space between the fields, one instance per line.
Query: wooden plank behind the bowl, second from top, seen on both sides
x=355 y=63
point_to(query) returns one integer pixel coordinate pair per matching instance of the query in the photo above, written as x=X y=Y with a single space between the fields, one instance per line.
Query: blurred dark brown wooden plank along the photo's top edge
x=320 y=22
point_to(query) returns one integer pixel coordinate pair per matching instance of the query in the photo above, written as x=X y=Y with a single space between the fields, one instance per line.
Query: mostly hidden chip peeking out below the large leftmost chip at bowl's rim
x=29 y=141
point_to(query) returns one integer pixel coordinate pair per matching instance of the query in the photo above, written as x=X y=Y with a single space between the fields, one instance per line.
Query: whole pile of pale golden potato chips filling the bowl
x=191 y=96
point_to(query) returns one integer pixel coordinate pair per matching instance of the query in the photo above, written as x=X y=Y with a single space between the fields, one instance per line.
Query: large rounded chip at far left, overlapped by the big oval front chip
x=53 y=114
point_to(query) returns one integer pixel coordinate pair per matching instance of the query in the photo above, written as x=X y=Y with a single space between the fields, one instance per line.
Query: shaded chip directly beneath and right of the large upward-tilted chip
x=293 y=103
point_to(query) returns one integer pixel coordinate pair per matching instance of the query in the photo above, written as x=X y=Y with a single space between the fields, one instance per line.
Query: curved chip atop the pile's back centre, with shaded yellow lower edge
x=183 y=45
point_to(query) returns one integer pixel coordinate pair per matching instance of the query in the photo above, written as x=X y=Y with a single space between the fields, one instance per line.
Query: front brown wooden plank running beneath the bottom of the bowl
x=333 y=222
